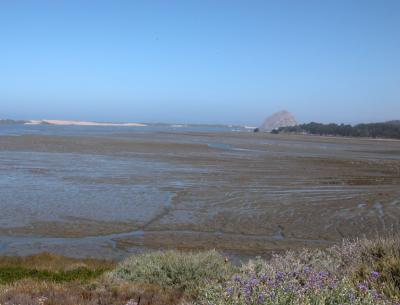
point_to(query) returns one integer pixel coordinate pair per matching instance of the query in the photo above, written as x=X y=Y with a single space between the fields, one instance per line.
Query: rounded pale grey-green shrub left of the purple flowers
x=187 y=272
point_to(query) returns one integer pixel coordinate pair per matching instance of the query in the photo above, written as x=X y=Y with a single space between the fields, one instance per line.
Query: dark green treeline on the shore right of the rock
x=372 y=130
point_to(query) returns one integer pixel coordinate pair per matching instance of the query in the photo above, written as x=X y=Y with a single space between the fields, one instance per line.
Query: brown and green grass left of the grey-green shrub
x=57 y=280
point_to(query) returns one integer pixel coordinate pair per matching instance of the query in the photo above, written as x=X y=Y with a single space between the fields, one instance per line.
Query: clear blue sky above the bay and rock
x=200 y=61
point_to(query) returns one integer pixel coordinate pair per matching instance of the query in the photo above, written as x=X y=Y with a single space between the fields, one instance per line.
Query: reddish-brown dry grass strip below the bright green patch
x=29 y=292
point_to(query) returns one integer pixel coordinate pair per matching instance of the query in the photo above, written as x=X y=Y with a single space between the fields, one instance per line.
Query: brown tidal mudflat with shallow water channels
x=110 y=195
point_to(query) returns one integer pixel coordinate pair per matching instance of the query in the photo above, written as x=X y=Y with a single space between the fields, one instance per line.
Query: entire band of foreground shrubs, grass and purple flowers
x=357 y=272
